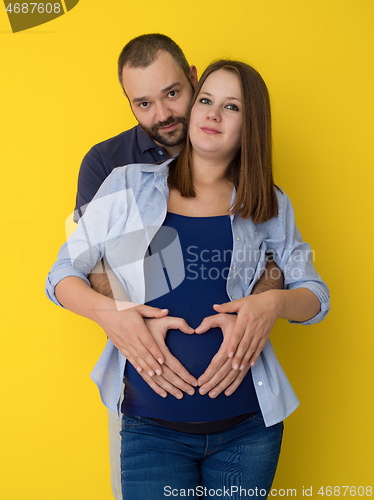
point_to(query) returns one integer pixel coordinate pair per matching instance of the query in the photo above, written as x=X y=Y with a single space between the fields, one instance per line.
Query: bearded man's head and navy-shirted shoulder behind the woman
x=161 y=112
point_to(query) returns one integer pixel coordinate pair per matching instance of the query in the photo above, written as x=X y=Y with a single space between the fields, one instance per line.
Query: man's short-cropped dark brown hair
x=143 y=50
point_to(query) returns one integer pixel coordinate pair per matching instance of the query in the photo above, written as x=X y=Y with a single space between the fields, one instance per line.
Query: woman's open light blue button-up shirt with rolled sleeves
x=119 y=224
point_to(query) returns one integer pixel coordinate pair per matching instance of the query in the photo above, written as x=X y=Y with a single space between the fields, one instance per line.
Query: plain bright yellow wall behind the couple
x=59 y=96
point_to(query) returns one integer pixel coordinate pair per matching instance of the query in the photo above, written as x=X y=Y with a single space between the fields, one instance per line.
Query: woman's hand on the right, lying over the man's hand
x=256 y=316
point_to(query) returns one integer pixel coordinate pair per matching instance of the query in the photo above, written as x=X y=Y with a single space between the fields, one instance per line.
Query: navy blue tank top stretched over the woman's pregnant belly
x=204 y=255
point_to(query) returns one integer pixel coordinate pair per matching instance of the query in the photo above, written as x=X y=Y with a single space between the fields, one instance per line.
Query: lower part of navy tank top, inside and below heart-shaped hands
x=195 y=352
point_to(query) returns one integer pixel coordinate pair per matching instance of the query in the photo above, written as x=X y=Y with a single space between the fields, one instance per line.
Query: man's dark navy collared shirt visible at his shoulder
x=132 y=146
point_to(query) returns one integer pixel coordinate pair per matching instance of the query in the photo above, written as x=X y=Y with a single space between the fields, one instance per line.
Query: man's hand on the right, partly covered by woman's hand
x=220 y=376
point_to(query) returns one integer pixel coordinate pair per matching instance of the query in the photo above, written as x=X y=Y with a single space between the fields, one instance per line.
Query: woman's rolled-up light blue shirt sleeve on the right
x=295 y=258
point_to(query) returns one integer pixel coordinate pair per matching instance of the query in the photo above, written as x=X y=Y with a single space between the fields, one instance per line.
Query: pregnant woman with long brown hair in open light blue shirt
x=186 y=235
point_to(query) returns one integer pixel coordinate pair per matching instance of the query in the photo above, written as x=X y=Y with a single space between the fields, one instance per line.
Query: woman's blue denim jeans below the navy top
x=157 y=462
